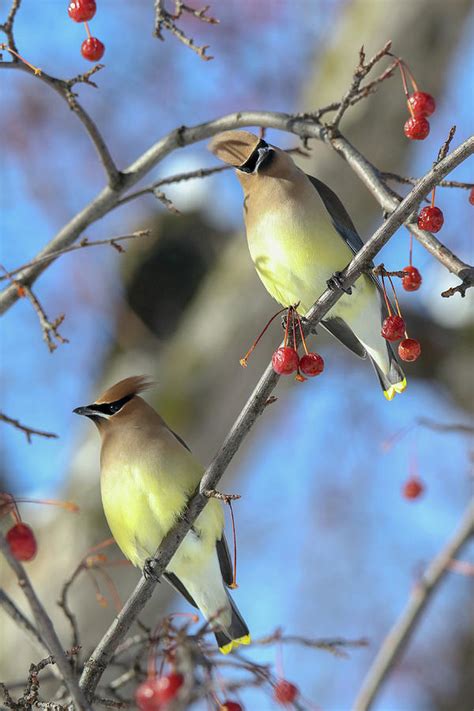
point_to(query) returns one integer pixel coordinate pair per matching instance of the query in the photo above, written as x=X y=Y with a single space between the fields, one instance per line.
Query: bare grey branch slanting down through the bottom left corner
x=45 y=629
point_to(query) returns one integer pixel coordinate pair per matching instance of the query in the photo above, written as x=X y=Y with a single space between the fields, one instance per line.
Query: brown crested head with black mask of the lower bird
x=116 y=401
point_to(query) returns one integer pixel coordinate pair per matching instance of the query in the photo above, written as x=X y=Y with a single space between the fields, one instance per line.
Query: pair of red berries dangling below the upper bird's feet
x=286 y=359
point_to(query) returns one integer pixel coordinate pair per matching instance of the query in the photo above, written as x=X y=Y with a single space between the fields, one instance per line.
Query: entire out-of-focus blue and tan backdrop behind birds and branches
x=327 y=544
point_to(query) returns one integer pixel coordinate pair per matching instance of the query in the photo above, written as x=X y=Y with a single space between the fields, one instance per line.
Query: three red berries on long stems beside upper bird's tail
x=393 y=327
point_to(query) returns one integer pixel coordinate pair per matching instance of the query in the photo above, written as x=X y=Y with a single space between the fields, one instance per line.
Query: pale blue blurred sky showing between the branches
x=330 y=519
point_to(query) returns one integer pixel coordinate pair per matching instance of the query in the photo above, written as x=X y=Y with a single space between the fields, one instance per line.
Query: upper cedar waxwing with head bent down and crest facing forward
x=299 y=235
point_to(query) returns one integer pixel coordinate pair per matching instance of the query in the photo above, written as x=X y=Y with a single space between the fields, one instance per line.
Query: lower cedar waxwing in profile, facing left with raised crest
x=147 y=476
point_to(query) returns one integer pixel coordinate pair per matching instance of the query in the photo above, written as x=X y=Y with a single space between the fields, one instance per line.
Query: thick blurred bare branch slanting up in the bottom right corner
x=401 y=632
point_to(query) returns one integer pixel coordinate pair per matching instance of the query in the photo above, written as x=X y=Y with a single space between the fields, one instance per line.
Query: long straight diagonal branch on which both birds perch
x=254 y=407
